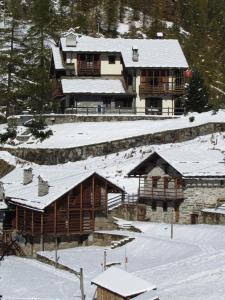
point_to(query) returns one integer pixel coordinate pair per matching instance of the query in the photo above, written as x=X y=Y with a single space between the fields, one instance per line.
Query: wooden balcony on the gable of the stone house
x=161 y=188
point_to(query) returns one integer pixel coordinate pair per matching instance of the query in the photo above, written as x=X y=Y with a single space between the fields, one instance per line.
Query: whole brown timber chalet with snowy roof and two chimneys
x=42 y=211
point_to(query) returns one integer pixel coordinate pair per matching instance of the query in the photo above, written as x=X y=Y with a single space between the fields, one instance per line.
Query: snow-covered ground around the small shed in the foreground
x=191 y=266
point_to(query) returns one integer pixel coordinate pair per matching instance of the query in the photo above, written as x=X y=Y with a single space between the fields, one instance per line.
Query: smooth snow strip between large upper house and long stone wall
x=78 y=134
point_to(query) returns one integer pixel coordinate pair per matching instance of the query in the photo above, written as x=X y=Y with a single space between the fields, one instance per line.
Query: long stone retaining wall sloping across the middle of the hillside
x=61 y=155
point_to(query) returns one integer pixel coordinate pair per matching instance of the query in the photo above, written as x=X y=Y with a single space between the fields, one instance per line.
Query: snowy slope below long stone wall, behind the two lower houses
x=115 y=167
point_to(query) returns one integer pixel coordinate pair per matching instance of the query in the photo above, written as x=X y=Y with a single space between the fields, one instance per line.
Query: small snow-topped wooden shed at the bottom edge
x=117 y=284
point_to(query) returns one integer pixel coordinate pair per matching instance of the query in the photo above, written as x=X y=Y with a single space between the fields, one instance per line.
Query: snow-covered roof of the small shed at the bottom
x=122 y=283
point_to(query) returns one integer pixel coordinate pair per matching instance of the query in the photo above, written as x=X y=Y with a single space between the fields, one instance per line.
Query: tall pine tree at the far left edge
x=12 y=57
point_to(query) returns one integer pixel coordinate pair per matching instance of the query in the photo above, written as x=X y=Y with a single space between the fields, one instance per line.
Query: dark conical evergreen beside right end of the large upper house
x=197 y=94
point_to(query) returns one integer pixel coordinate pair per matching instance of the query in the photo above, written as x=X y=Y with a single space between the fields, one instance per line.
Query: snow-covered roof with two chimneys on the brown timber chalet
x=61 y=179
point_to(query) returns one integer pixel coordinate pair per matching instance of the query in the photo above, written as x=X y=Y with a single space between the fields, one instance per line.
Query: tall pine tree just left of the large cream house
x=38 y=55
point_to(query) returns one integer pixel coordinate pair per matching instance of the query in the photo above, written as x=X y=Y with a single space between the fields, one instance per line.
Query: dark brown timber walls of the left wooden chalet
x=73 y=213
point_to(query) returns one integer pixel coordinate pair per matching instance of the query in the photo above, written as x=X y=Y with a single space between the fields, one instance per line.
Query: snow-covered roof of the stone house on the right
x=191 y=162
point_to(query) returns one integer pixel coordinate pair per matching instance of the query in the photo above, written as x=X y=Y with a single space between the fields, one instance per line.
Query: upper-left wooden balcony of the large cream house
x=89 y=69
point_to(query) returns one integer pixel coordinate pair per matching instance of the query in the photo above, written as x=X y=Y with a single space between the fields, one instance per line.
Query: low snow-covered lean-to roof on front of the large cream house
x=92 y=86
